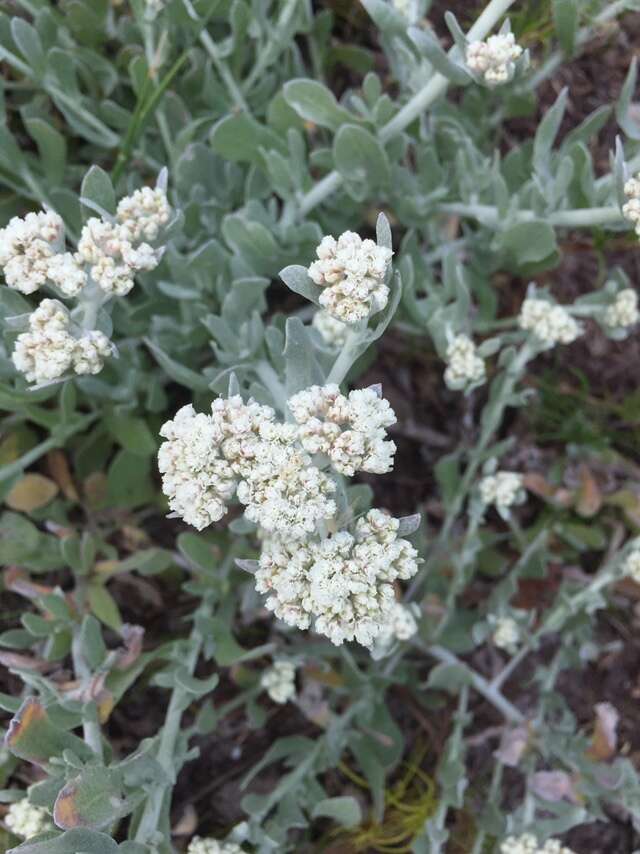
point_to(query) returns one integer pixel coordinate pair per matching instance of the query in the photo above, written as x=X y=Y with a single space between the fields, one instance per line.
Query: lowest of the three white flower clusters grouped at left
x=49 y=349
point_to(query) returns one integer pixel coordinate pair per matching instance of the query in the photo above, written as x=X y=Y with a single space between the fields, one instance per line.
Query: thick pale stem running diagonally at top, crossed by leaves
x=412 y=109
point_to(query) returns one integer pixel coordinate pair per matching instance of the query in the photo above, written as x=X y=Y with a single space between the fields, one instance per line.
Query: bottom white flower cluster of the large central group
x=343 y=584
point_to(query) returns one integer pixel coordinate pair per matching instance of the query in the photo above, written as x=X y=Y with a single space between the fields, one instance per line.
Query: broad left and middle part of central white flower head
x=241 y=448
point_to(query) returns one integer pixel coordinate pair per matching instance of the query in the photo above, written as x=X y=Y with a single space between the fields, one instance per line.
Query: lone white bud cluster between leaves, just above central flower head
x=352 y=273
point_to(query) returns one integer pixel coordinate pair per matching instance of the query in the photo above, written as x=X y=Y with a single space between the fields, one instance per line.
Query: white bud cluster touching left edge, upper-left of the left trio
x=30 y=255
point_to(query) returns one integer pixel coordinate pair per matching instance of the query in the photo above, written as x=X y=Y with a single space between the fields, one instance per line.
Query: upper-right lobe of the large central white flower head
x=351 y=430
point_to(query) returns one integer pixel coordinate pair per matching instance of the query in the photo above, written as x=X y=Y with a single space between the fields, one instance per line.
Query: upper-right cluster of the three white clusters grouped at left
x=116 y=250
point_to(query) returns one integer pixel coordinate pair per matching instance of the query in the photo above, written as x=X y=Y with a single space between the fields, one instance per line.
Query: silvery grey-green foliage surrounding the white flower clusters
x=264 y=161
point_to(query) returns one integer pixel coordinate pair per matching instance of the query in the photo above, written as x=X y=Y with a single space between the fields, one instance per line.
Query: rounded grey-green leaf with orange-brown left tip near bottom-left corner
x=92 y=799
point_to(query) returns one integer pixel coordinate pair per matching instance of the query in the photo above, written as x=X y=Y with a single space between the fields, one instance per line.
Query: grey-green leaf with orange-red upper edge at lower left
x=33 y=737
